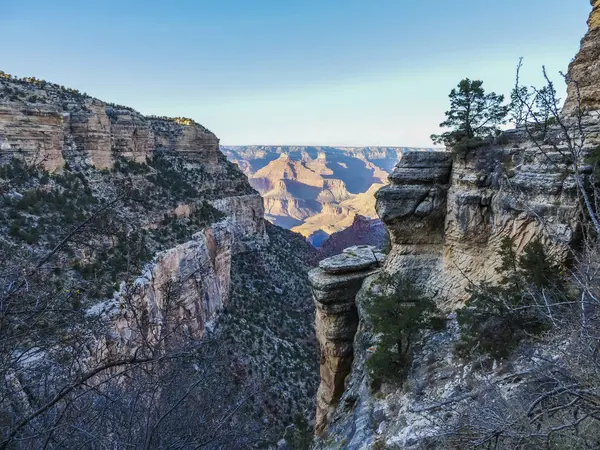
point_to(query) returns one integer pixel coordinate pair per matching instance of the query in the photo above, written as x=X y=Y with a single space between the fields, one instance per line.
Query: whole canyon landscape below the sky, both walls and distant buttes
x=160 y=290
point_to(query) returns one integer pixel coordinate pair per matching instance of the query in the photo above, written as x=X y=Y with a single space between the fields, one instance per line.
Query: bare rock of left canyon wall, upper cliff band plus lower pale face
x=64 y=130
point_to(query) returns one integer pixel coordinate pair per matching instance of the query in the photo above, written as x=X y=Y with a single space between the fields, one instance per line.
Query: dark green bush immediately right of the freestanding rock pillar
x=398 y=315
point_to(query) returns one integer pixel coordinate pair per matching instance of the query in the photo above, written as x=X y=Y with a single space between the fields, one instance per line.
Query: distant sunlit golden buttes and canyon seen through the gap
x=316 y=191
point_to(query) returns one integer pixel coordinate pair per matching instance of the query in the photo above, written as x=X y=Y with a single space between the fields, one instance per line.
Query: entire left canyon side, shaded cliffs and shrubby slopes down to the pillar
x=161 y=235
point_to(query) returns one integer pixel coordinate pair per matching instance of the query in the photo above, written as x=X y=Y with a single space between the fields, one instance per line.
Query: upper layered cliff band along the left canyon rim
x=51 y=124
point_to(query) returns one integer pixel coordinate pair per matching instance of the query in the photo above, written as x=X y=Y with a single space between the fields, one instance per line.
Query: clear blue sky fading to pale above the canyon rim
x=291 y=72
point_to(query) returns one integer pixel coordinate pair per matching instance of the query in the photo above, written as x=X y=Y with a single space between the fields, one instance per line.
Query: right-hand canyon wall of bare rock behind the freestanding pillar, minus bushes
x=447 y=215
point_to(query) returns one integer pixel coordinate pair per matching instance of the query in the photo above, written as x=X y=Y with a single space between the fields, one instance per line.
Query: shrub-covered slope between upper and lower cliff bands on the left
x=43 y=207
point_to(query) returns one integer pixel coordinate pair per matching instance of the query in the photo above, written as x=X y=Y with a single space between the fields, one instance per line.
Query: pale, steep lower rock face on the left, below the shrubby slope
x=184 y=288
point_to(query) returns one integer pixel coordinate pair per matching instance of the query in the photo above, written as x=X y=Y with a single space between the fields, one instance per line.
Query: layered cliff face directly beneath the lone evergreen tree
x=447 y=216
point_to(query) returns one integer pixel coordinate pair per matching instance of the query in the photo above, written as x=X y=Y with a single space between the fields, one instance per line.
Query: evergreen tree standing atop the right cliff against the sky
x=472 y=117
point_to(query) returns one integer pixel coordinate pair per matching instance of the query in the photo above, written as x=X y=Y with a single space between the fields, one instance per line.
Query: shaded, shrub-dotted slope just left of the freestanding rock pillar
x=270 y=320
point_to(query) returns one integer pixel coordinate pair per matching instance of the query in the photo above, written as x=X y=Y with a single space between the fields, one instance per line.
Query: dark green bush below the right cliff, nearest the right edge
x=498 y=316
